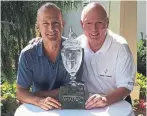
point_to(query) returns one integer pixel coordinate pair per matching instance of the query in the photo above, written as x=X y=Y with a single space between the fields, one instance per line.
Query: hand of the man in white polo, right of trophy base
x=96 y=101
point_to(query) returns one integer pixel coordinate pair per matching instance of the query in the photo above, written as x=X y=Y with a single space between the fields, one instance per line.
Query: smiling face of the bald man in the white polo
x=95 y=26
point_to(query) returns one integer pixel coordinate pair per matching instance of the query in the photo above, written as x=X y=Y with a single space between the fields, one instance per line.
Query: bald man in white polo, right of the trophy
x=109 y=69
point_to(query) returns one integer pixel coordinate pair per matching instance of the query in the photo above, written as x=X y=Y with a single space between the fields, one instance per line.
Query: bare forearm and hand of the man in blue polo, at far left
x=24 y=95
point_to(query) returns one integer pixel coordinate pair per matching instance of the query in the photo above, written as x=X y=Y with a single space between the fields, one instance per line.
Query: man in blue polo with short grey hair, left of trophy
x=40 y=63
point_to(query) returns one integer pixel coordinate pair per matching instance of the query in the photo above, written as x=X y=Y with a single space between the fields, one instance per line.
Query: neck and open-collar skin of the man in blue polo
x=52 y=50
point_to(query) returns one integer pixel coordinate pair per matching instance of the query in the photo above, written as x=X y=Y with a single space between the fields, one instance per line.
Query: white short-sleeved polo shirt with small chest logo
x=110 y=67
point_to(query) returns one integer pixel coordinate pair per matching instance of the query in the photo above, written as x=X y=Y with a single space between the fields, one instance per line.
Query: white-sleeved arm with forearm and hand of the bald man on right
x=125 y=76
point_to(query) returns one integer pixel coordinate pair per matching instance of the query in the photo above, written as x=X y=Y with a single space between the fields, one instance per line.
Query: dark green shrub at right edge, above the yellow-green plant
x=141 y=56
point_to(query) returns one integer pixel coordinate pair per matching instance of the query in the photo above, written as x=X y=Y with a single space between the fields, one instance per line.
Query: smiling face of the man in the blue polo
x=50 y=24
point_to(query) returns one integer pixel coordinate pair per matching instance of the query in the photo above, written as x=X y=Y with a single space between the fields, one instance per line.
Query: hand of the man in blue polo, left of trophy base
x=49 y=103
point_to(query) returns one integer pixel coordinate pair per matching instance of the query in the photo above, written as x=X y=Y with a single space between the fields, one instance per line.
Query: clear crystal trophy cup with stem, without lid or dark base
x=72 y=58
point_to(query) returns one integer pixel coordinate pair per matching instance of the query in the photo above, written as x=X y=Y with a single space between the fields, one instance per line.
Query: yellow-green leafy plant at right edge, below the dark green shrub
x=141 y=80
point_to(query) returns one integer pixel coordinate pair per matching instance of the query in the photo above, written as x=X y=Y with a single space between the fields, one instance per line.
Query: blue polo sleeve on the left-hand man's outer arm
x=24 y=75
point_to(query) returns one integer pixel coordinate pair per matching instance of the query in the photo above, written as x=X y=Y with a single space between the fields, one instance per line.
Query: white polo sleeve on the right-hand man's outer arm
x=125 y=68
